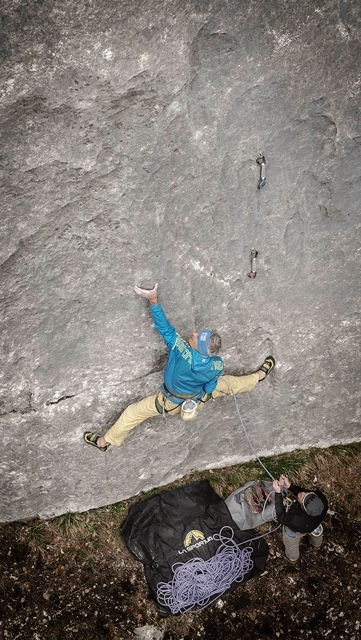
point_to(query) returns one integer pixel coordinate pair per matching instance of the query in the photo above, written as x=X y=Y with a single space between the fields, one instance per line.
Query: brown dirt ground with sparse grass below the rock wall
x=73 y=578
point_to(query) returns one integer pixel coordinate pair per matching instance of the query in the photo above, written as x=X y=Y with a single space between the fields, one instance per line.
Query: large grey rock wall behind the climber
x=129 y=136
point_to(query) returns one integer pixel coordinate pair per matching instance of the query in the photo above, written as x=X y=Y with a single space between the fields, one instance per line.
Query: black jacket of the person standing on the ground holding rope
x=296 y=517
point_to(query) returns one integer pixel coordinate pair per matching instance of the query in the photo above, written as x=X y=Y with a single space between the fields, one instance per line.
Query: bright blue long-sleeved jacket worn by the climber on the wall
x=187 y=372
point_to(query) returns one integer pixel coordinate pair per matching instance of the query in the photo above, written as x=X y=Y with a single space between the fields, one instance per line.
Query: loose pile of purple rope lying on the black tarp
x=197 y=581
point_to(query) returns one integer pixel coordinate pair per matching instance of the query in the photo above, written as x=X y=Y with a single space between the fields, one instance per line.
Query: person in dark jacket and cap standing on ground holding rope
x=303 y=517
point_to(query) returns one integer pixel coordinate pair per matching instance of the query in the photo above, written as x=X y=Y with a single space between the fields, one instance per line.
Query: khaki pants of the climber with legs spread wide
x=147 y=408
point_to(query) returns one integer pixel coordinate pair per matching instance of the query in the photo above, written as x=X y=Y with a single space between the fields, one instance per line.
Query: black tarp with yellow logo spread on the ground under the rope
x=192 y=522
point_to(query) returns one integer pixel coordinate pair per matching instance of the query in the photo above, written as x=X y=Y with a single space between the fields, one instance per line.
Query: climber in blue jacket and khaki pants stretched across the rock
x=192 y=373
